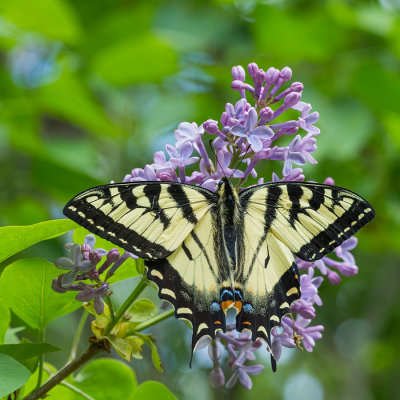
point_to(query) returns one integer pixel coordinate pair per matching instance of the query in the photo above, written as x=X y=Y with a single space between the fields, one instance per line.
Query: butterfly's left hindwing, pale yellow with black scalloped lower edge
x=191 y=278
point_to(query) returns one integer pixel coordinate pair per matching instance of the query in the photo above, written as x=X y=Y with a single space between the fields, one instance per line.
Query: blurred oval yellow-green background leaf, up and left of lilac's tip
x=152 y=60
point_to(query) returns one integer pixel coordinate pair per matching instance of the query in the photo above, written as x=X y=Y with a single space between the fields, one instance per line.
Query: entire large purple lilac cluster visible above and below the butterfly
x=248 y=133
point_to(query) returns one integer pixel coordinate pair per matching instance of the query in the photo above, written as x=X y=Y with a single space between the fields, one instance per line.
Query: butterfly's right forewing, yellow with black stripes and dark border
x=310 y=219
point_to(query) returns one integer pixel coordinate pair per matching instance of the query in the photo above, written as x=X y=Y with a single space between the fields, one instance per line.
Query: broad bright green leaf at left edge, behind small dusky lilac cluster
x=26 y=287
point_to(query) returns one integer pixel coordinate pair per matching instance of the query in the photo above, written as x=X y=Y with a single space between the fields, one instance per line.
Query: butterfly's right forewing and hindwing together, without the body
x=283 y=220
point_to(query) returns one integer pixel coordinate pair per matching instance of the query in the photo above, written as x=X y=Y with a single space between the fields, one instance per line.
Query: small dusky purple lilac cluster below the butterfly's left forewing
x=84 y=265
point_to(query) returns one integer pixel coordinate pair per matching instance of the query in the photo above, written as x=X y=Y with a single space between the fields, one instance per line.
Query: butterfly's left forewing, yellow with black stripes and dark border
x=149 y=219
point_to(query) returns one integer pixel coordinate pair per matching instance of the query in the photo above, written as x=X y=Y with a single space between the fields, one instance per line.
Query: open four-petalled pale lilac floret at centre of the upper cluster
x=253 y=133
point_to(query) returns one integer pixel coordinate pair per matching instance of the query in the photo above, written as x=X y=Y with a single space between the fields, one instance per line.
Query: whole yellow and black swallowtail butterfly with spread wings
x=209 y=251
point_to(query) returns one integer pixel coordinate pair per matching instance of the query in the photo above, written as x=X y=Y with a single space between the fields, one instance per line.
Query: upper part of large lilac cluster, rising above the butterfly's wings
x=247 y=132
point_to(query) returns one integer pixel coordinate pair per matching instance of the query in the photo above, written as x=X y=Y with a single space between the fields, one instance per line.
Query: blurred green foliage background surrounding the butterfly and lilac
x=90 y=89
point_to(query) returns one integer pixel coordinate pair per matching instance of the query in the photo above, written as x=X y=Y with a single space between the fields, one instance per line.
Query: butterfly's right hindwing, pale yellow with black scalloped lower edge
x=267 y=276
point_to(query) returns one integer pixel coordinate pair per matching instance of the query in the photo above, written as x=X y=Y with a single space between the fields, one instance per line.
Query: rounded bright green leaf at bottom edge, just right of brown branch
x=105 y=379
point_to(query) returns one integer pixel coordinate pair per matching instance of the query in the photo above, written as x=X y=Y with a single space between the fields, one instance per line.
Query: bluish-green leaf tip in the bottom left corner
x=13 y=375
